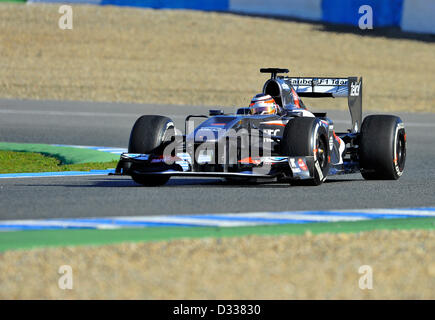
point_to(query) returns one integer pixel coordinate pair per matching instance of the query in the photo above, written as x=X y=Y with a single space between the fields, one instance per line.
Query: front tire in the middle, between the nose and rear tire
x=306 y=137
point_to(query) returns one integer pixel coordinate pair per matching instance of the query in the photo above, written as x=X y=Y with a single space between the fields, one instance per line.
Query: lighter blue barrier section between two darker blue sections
x=303 y=9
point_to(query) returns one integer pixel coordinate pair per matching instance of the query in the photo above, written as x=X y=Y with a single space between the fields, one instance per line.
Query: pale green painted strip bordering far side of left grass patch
x=66 y=155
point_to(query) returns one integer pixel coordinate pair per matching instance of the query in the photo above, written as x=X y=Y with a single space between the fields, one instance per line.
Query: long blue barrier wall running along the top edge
x=410 y=15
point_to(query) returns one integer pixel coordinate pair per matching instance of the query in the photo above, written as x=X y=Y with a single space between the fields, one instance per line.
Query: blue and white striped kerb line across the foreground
x=214 y=220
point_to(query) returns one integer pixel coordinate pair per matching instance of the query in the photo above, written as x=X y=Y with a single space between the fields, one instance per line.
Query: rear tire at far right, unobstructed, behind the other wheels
x=382 y=149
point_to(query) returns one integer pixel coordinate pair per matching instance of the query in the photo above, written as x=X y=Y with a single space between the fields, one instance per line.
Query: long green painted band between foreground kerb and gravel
x=15 y=240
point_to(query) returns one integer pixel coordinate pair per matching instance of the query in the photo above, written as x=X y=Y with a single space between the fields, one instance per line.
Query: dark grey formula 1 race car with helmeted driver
x=276 y=139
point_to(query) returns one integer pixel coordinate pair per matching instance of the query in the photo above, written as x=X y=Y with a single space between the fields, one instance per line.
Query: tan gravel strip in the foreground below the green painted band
x=322 y=266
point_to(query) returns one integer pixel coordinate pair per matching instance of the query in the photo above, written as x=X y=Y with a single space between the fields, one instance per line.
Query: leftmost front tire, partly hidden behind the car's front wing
x=150 y=134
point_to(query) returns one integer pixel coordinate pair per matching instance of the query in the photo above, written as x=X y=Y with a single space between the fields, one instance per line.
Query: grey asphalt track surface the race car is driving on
x=109 y=124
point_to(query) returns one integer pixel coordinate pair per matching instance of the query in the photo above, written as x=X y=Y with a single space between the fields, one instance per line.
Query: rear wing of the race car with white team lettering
x=350 y=88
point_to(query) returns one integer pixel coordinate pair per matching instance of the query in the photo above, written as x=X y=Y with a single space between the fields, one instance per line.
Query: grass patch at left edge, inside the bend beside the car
x=16 y=162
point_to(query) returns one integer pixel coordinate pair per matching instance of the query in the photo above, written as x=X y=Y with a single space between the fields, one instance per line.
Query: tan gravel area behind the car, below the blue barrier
x=198 y=58
